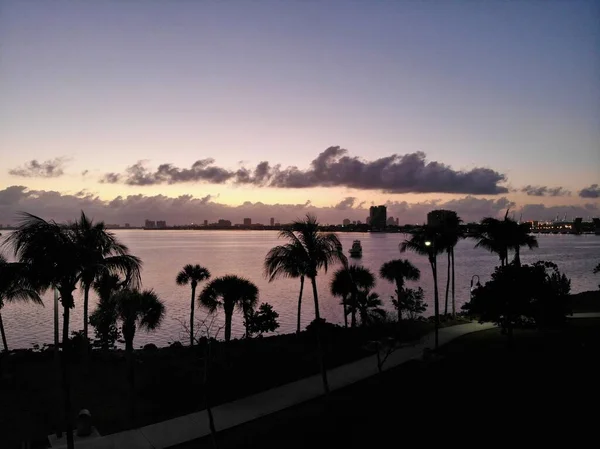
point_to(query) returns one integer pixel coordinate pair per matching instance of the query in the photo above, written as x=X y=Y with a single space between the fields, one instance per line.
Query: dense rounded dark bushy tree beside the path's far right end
x=516 y=295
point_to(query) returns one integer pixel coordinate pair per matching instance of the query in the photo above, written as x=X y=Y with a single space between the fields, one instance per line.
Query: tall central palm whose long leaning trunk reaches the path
x=319 y=251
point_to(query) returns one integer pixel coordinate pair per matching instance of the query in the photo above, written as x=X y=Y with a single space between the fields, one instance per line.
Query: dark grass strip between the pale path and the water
x=169 y=380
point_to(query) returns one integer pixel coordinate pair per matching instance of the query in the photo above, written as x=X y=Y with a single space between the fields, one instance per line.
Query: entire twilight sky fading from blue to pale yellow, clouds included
x=193 y=110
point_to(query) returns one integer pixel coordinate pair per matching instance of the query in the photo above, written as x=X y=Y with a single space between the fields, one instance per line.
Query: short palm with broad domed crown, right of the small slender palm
x=229 y=292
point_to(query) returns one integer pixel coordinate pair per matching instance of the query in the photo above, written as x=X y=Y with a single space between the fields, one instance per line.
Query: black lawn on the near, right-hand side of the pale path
x=477 y=392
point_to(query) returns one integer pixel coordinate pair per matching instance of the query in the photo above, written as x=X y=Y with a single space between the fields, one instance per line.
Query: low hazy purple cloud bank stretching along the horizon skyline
x=184 y=209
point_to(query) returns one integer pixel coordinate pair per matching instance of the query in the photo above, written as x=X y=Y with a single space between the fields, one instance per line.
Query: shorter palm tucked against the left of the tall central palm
x=289 y=261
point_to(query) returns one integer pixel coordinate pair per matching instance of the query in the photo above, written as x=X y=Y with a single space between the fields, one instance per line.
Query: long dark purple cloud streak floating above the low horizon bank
x=331 y=168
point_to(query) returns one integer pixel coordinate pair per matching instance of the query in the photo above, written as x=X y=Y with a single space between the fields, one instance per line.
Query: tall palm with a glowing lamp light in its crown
x=428 y=241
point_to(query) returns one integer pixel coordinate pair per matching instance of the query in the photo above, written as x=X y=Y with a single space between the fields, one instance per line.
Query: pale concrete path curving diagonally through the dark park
x=189 y=427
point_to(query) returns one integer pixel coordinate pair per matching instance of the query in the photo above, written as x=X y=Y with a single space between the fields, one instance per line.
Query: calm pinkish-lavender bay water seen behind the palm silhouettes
x=164 y=253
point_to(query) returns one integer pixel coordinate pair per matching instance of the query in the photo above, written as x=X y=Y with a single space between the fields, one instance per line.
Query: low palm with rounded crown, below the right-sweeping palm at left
x=136 y=309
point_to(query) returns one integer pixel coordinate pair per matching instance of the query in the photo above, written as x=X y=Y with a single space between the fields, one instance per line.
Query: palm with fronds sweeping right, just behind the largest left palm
x=102 y=253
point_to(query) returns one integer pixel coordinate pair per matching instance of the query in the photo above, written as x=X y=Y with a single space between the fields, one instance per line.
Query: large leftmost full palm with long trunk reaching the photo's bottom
x=52 y=252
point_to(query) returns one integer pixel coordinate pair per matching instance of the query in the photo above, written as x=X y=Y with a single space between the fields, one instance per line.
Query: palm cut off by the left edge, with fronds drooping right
x=14 y=286
